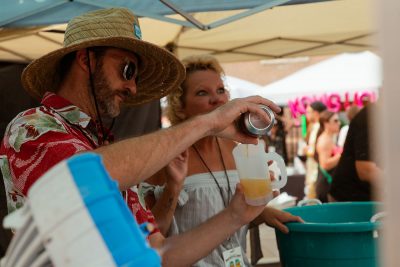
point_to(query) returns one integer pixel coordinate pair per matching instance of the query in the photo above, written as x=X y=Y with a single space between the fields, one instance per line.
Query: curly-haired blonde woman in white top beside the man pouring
x=211 y=175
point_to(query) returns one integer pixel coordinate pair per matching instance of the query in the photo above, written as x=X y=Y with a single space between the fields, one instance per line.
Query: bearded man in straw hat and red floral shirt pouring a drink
x=104 y=63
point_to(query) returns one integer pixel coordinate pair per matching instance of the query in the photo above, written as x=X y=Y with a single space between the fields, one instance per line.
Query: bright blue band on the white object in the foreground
x=115 y=223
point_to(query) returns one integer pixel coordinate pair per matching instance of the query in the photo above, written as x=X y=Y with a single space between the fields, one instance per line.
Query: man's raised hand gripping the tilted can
x=223 y=118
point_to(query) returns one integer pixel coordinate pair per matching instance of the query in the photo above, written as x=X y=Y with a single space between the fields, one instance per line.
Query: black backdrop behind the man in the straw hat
x=13 y=99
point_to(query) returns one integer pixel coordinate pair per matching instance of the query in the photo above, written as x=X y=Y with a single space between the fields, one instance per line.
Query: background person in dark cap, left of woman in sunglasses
x=312 y=113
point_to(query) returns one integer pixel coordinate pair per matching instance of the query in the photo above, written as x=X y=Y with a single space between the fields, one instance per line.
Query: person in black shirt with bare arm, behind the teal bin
x=357 y=172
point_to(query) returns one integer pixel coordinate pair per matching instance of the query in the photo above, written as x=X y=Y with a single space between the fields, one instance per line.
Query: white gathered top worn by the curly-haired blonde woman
x=199 y=200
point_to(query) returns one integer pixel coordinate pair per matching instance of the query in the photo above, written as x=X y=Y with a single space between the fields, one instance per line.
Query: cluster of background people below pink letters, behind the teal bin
x=340 y=165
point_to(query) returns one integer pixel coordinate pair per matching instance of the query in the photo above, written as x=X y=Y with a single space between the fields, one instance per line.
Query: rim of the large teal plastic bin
x=334 y=227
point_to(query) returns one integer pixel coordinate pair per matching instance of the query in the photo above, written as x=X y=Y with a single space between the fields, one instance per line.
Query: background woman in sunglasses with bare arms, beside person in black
x=327 y=153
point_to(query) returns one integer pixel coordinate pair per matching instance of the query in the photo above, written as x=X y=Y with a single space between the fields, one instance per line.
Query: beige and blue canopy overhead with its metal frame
x=292 y=30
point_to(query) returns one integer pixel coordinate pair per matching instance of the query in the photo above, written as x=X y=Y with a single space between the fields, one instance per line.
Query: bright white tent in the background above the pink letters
x=347 y=73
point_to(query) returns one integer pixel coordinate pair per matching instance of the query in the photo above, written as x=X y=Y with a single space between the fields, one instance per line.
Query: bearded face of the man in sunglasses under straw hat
x=114 y=80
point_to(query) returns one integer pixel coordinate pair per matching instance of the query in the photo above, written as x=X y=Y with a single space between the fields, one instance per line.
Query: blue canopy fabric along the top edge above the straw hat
x=44 y=12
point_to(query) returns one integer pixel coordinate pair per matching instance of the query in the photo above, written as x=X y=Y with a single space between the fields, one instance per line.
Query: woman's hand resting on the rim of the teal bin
x=276 y=218
